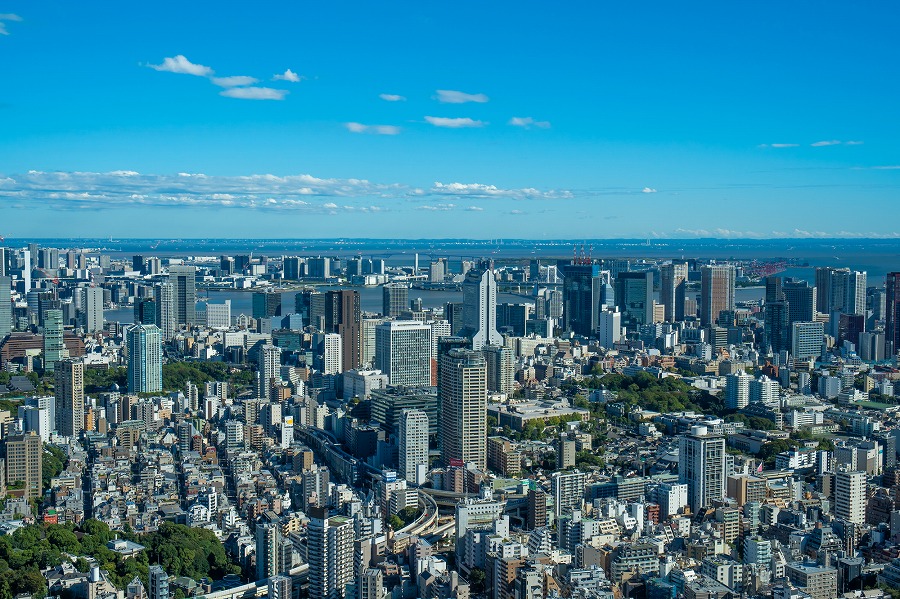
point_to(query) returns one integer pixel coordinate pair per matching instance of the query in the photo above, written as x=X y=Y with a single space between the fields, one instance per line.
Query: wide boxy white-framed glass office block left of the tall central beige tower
x=403 y=352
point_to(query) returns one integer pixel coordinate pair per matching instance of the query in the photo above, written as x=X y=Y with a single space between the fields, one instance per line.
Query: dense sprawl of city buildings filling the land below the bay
x=467 y=449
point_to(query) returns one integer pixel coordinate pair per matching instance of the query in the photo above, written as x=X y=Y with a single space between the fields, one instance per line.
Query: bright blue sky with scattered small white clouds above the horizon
x=462 y=119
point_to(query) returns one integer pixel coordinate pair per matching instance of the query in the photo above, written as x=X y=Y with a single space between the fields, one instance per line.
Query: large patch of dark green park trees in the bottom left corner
x=181 y=550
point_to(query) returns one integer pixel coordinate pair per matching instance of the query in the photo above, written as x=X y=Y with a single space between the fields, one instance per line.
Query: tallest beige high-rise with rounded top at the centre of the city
x=463 y=419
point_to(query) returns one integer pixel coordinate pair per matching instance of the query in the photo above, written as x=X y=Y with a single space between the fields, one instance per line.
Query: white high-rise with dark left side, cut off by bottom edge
x=330 y=554
